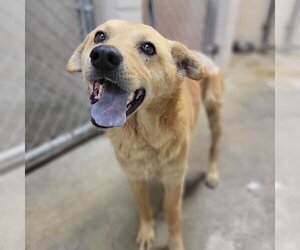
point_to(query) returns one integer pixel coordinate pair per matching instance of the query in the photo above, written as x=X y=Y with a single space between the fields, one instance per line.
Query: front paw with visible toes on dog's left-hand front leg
x=145 y=236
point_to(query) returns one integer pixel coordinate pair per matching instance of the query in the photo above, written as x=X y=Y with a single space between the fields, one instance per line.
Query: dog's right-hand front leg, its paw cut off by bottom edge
x=172 y=206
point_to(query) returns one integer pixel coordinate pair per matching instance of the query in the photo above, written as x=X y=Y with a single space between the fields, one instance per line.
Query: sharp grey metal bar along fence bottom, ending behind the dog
x=34 y=158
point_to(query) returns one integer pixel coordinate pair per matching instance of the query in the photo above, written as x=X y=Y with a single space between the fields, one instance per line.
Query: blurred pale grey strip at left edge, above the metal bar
x=12 y=70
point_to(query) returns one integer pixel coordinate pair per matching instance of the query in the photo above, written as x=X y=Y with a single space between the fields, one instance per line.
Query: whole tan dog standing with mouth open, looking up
x=146 y=90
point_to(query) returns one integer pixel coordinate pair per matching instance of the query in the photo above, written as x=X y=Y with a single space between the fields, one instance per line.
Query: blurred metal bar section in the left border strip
x=12 y=158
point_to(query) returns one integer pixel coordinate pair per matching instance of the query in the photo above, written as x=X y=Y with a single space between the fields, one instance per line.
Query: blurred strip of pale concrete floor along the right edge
x=287 y=152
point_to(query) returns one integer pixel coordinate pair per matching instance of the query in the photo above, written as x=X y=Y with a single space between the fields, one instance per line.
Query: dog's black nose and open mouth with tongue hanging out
x=111 y=100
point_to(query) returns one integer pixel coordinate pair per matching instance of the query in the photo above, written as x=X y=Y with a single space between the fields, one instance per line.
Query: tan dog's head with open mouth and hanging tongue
x=127 y=66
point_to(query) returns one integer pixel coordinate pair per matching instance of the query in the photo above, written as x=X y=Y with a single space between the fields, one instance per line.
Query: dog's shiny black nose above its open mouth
x=106 y=57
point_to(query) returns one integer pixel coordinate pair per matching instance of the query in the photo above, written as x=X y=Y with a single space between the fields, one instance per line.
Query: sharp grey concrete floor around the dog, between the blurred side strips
x=81 y=201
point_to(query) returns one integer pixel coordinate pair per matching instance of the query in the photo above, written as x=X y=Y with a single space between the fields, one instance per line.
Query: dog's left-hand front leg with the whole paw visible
x=146 y=232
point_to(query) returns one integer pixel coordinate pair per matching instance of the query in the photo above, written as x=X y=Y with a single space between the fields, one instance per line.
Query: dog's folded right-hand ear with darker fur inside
x=187 y=61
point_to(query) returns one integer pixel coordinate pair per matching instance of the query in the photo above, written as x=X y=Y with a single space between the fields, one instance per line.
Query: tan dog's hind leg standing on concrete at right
x=212 y=98
